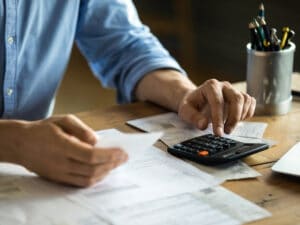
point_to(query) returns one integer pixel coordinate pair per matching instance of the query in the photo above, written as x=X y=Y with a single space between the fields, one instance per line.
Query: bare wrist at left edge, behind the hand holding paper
x=9 y=136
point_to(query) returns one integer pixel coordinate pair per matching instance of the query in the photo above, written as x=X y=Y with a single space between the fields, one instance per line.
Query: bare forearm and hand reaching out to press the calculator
x=213 y=101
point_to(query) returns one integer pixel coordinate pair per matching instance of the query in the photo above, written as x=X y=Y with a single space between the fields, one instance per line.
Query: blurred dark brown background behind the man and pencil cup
x=208 y=38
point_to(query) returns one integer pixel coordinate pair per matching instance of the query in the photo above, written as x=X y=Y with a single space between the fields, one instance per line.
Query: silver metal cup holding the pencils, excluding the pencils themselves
x=269 y=77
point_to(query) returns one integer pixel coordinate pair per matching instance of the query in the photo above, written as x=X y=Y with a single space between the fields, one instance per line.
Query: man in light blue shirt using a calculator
x=37 y=37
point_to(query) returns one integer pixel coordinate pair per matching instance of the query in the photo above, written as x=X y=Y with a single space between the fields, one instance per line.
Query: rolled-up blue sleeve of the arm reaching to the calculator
x=118 y=47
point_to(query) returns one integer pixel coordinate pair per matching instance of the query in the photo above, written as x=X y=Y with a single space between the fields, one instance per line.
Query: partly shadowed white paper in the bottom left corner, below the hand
x=26 y=199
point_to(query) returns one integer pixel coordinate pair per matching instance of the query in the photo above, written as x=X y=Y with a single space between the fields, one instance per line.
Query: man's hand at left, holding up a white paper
x=62 y=149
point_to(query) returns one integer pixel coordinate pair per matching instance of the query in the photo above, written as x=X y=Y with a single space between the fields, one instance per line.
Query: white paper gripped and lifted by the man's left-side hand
x=132 y=143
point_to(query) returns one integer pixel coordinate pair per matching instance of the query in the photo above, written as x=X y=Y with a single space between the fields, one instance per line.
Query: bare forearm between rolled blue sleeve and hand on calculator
x=164 y=87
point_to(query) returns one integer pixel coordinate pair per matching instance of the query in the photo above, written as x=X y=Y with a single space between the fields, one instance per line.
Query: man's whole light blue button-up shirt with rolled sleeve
x=36 y=39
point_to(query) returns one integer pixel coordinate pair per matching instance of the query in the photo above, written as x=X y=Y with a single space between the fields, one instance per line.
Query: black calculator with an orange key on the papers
x=211 y=149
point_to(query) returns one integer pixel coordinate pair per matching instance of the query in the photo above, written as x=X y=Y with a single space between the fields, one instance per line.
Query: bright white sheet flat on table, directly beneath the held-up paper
x=151 y=175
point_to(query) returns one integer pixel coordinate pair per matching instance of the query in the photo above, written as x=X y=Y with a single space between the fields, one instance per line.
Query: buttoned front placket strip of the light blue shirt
x=9 y=85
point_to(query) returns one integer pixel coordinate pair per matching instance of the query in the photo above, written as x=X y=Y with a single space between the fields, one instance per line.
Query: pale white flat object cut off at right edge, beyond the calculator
x=290 y=162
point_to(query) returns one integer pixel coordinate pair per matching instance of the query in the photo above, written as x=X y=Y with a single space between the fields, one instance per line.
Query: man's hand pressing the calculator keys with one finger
x=216 y=102
